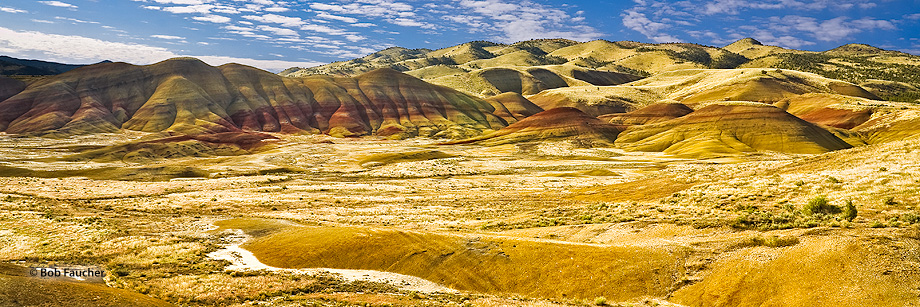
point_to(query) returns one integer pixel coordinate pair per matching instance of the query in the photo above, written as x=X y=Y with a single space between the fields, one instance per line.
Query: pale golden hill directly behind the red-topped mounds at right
x=694 y=86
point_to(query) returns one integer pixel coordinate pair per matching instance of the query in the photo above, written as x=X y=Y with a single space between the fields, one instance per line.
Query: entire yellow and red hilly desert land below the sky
x=540 y=173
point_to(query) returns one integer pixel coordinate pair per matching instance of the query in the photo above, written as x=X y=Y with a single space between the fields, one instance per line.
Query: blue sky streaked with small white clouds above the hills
x=275 y=35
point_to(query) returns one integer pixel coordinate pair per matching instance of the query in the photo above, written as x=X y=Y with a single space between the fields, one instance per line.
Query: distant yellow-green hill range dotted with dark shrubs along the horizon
x=890 y=75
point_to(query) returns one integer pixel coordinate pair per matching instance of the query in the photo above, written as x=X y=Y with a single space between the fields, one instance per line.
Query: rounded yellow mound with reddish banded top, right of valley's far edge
x=729 y=129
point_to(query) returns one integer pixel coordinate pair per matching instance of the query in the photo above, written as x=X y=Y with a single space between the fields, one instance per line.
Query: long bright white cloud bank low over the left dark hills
x=79 y=49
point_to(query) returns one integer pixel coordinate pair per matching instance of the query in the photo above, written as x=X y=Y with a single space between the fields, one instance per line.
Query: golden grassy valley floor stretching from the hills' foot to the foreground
x=534 y=224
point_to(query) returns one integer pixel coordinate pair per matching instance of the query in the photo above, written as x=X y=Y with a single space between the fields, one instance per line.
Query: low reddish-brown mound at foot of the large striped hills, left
x=199 y=145
